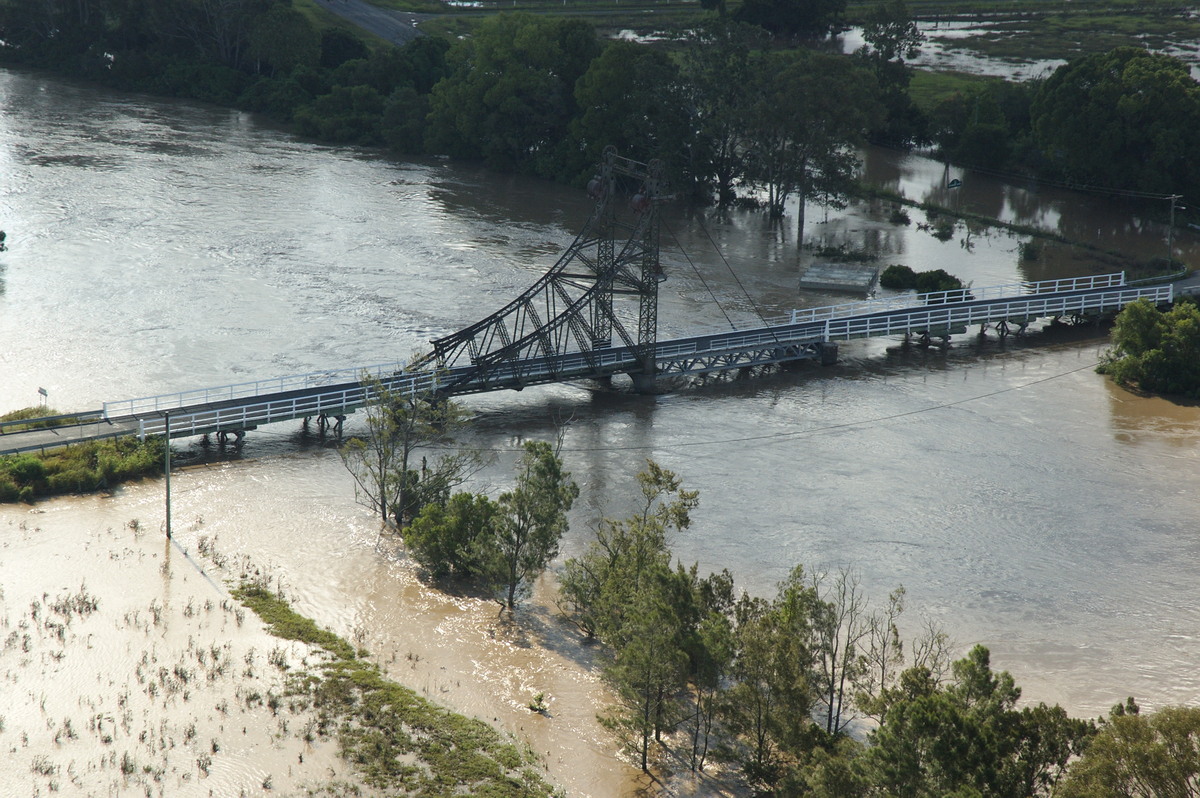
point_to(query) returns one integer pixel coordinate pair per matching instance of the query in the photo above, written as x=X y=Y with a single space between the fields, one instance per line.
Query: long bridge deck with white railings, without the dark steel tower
x=799 y=335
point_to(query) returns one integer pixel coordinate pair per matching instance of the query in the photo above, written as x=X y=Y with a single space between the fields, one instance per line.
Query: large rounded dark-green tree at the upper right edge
x=1125 y=118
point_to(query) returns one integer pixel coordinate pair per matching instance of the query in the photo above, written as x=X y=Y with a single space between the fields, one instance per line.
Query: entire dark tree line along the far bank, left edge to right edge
x=733 y=113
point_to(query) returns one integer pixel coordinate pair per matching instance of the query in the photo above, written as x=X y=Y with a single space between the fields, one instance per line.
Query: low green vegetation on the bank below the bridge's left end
x=80 y=469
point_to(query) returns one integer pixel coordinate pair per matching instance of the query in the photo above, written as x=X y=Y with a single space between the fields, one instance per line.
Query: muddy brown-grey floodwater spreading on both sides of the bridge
x=1023 y=501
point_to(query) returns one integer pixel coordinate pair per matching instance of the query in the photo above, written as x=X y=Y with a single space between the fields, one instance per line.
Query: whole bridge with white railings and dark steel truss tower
x=568 y=327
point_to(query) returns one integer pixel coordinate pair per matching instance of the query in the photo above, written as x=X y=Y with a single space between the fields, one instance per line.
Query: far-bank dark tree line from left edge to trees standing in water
x=538 y=95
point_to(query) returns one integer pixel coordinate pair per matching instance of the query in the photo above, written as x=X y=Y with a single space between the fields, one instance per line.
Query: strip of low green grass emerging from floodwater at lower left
x=398 y=740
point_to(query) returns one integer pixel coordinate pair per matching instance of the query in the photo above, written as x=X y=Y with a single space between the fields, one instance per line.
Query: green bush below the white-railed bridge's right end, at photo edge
x=1156 y=352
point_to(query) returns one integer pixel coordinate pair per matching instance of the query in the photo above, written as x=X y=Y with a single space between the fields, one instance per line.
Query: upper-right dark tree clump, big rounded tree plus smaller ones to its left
x=1124 y=119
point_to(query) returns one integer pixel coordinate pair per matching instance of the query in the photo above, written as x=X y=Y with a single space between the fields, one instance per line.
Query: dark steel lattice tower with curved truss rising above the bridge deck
x=571 y=310
